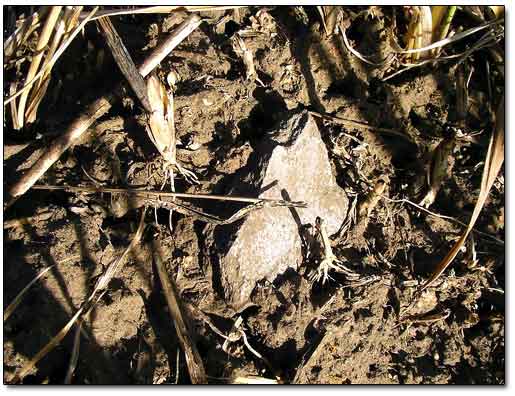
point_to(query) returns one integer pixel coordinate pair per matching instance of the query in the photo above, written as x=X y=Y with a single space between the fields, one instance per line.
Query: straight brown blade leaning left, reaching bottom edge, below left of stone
x=193 y=359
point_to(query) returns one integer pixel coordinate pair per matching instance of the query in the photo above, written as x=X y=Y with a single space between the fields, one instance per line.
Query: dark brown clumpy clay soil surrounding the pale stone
x=317 y=334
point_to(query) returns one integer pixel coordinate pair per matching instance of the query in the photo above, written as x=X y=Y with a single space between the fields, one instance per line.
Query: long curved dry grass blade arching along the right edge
x=493 y=163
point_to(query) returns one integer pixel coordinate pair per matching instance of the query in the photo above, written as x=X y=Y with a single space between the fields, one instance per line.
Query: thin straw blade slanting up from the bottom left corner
x=99 y=290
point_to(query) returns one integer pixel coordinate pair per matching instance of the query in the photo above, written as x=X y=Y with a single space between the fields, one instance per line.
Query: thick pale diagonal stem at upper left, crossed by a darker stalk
x=94 y=111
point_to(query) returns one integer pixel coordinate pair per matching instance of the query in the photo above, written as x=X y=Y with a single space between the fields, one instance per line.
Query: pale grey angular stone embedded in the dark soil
x=290 y=163
